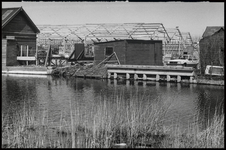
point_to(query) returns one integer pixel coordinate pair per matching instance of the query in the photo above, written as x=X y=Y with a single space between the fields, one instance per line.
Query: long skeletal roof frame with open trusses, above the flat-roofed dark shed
x=105 y=31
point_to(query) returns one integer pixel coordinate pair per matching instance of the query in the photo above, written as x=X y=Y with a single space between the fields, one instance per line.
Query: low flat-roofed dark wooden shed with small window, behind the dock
x=130 y=52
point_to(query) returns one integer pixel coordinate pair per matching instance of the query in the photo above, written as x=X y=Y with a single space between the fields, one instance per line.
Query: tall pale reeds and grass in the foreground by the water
x=103 y=123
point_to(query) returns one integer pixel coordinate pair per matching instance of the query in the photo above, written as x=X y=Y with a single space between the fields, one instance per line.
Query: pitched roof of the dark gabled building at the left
x=9 y=13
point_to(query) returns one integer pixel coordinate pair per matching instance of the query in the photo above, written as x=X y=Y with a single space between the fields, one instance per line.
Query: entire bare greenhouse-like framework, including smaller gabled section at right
x=174 y=41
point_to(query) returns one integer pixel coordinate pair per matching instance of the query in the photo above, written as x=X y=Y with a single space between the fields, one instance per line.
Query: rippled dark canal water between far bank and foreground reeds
x=185 y=103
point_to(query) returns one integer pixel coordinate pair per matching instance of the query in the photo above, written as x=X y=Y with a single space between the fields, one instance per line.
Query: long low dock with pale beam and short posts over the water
x=156 y=73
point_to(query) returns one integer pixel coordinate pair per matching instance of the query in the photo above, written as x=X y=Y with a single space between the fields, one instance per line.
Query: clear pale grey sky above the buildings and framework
x=191 y=17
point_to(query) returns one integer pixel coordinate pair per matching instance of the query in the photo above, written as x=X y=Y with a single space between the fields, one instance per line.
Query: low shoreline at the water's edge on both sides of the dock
x=86 y=72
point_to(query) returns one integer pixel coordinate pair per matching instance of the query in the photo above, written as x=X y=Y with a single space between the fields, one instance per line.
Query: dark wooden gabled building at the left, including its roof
x=18 y=37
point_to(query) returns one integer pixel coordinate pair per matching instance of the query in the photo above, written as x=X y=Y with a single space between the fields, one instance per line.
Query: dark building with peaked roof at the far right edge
x=212 y=47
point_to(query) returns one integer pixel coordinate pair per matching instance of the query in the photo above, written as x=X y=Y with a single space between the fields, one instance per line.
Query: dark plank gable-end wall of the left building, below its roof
x=21 y=30
